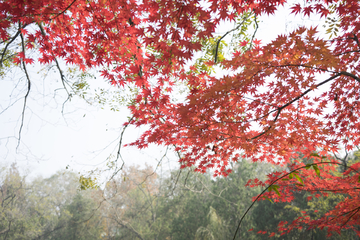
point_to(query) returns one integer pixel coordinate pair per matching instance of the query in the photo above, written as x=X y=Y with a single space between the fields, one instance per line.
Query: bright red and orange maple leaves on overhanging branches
x=294 y=98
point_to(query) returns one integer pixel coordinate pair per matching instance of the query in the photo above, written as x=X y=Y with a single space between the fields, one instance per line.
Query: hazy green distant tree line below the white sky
x=140 y=204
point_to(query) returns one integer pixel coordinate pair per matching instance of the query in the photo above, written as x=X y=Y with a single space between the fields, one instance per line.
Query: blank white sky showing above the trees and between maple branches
x=85 y=135
